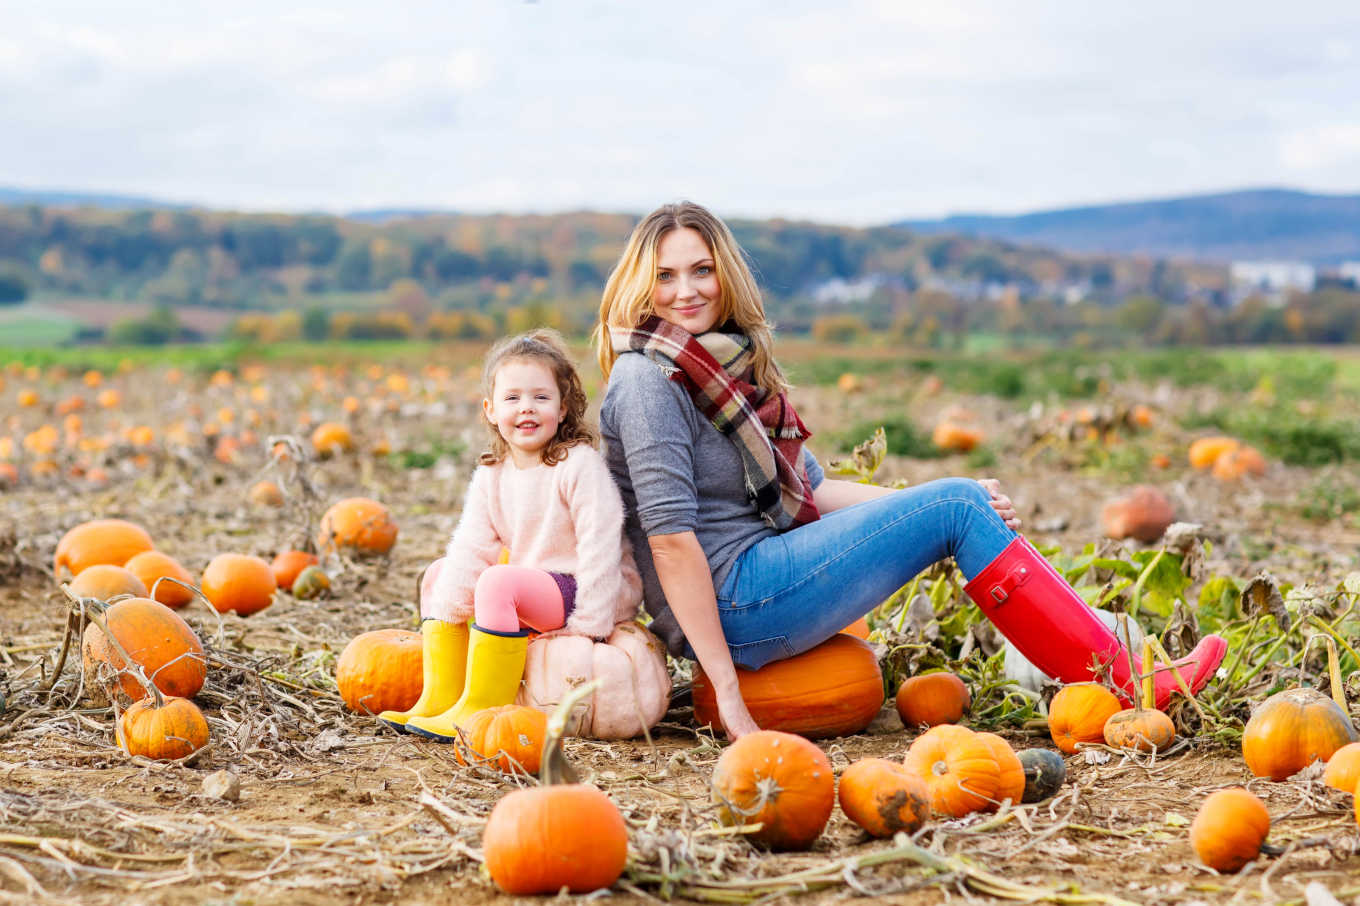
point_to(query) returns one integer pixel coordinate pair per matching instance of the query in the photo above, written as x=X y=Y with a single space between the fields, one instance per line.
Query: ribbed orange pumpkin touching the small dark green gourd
x=958 y=768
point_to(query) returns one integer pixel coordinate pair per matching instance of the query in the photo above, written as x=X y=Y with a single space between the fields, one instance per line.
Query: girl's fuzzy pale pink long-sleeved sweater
x=564 y=519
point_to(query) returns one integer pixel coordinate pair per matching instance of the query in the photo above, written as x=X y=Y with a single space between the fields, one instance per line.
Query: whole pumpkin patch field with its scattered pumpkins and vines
x=210 y=572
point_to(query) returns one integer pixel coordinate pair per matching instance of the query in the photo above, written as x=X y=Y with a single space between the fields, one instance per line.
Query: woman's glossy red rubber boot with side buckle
x=1034 y=607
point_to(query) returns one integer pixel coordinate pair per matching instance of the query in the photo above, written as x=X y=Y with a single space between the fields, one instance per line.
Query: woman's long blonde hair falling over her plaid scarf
x=628 y=296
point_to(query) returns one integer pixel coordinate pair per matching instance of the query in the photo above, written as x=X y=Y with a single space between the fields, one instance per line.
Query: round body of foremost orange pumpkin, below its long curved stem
x=545 y=839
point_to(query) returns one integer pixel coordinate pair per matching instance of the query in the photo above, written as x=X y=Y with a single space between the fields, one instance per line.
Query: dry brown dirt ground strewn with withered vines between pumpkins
x=334 y=809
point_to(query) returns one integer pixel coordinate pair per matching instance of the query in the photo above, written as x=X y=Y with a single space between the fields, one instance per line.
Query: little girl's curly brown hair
x=547 y=348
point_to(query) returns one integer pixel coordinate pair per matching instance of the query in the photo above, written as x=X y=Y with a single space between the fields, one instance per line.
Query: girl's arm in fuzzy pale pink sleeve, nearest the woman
x=596 y=512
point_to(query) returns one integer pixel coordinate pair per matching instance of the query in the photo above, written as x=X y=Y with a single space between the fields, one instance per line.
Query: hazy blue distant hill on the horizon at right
x=1259 y=224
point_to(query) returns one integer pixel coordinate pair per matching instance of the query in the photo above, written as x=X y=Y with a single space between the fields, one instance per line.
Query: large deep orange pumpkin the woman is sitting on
x=833 y=690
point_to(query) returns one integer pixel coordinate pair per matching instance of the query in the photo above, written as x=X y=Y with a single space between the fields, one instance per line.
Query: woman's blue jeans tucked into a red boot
x=791 y=592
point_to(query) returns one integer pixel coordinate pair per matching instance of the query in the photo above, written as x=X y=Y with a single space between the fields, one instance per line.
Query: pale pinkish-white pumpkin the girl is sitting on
x=633 y=665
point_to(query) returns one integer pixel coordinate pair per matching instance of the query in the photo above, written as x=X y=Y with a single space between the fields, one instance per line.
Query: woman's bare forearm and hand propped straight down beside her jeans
x=685 y=576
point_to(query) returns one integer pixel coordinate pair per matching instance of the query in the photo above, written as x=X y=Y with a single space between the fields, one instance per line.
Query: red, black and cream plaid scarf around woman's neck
x=716 y=368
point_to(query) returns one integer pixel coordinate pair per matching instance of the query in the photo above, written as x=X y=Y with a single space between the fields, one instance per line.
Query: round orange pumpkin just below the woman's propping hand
x=779 y=780
